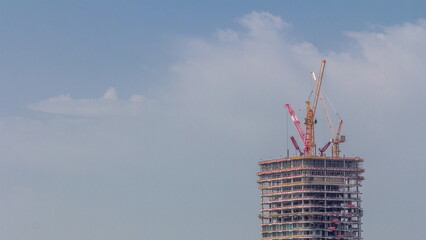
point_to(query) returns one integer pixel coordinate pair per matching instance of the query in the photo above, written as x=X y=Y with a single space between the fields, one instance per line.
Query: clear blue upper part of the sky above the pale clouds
x=64 y=45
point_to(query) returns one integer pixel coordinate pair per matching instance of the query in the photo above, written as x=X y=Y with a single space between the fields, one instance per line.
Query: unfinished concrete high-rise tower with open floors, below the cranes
x=311 y=197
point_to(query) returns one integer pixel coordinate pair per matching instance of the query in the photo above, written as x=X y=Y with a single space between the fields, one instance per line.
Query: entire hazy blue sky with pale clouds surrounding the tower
x=146 y=119
